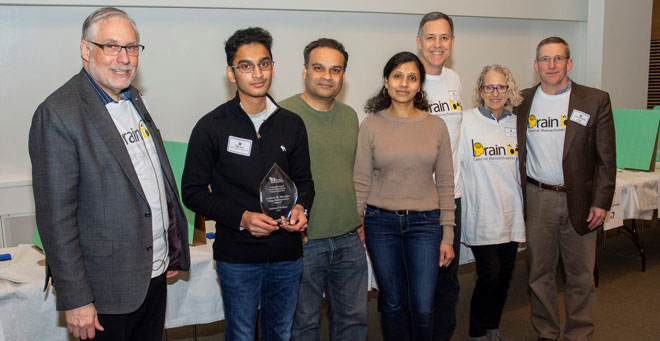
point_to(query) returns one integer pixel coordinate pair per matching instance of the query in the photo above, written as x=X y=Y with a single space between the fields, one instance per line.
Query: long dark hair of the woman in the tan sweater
x=381 y=100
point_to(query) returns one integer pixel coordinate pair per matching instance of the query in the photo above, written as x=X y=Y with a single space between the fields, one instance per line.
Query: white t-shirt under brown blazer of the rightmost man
x=546 y=128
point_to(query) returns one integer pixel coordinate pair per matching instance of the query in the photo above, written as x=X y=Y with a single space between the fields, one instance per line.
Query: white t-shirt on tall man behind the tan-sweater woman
x=444 y=95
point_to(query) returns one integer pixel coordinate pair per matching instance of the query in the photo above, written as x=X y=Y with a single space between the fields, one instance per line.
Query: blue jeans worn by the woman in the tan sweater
x=405 y=251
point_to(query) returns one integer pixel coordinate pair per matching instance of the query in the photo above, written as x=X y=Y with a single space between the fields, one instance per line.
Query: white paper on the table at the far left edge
x=24 y=266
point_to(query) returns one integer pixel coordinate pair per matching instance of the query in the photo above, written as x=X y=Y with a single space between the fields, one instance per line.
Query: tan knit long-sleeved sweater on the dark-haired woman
x=402 y=154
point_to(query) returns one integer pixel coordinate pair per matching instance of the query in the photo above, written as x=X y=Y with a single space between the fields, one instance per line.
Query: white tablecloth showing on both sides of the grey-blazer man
x=28 y=313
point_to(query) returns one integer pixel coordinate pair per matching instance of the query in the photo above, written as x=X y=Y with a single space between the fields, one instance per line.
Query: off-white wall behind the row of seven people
x=182 y=69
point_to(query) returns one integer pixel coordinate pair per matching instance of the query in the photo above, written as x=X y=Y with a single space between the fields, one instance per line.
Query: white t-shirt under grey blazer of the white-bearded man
x=141 y=149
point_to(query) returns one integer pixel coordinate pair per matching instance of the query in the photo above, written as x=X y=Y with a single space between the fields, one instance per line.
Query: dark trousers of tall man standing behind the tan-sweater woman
x=446 y=292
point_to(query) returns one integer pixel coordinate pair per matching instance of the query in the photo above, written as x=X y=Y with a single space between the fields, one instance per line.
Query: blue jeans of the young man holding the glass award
x=243 y=285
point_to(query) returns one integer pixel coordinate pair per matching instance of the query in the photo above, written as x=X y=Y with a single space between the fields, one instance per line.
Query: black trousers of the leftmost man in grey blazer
x=146 y=323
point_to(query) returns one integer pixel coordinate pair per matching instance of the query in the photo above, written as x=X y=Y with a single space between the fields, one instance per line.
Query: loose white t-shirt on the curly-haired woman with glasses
x=492 y=209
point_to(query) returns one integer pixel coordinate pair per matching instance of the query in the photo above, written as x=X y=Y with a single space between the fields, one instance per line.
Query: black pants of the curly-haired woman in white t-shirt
x=494 y=266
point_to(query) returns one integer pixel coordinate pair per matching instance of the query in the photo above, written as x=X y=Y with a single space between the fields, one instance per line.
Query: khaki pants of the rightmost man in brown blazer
x=550 y=234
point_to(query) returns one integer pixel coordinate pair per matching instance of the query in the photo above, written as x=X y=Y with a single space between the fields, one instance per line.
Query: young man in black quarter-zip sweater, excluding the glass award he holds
x=231 y=149
